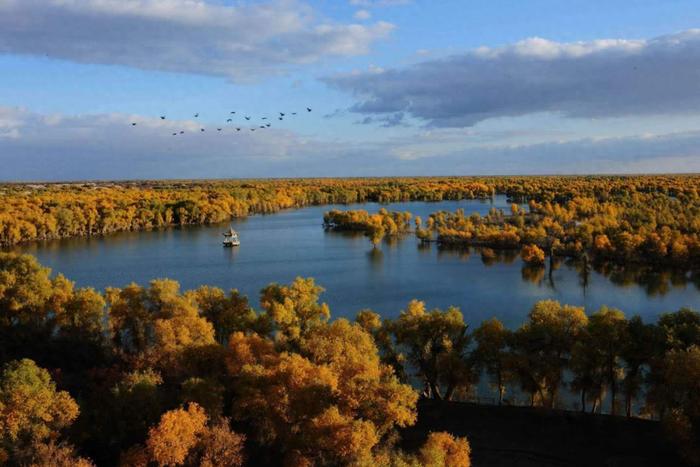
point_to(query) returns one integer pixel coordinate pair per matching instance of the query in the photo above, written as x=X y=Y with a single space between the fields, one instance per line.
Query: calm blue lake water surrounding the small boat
x=279 y=247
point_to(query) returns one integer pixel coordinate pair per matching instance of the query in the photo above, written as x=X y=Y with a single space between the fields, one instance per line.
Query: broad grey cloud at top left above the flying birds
x=191 y=36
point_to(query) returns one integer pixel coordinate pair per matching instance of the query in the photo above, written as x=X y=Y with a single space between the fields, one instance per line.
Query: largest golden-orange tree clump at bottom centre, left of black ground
x=331 y=402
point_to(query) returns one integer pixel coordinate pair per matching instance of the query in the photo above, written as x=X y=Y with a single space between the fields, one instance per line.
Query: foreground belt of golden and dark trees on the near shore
x=153 y=375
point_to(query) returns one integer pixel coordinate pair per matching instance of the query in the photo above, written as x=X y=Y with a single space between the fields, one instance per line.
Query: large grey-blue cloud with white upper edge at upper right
x=602 y=78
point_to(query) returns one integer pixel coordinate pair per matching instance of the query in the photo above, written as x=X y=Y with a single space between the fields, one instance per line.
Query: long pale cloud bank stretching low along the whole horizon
x=106 y=146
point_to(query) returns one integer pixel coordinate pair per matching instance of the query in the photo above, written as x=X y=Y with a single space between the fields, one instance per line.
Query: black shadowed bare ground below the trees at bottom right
x=529 y=437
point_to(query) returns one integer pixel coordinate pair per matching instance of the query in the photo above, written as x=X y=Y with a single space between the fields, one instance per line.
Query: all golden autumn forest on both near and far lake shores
x=150 y=374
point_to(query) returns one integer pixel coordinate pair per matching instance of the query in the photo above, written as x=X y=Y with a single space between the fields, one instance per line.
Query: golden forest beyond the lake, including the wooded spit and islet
x=651 y=220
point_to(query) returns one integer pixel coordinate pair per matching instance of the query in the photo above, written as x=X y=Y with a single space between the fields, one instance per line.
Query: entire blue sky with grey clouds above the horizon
x=396 y=88
